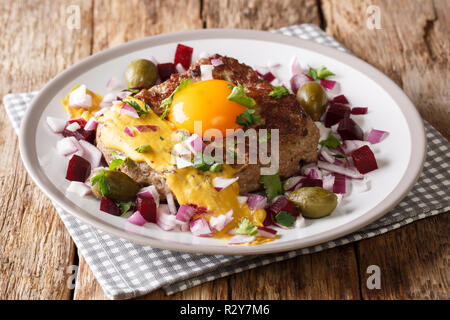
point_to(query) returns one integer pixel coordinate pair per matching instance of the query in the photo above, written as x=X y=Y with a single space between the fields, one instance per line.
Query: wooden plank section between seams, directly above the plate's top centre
x=259 y=14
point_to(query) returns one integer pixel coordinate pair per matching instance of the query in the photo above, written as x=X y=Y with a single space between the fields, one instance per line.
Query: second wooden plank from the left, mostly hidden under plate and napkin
x=113 y=24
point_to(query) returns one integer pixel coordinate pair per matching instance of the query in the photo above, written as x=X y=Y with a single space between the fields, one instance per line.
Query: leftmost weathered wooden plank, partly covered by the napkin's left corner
x=35 y=247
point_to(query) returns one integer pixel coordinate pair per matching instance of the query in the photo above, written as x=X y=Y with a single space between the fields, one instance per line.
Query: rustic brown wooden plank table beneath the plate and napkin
x=412 y=47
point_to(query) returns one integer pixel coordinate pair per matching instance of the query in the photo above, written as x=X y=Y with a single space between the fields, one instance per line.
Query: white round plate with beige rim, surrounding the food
x=400 y=156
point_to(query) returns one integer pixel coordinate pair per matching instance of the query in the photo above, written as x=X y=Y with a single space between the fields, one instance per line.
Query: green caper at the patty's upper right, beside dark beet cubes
x=313 y=99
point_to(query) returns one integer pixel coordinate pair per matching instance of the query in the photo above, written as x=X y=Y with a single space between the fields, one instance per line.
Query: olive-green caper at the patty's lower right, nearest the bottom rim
x=314 y=202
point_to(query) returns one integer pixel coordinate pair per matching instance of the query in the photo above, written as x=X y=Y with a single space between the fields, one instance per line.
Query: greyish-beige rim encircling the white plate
x=406 y=183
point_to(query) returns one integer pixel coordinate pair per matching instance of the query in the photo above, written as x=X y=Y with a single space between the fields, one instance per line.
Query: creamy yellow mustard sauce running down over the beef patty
x=189 y=185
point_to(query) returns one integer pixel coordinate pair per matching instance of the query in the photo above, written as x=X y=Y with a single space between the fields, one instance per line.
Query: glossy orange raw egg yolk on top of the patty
x=205 y=101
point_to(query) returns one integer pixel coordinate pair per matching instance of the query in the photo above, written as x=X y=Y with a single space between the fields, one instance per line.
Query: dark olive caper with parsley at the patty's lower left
x=121 y=186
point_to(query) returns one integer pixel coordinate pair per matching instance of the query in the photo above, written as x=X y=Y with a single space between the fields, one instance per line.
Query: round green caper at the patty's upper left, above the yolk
x=141 y=74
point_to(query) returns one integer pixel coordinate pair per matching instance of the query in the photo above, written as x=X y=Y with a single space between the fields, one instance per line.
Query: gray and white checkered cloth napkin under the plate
x=125 y=269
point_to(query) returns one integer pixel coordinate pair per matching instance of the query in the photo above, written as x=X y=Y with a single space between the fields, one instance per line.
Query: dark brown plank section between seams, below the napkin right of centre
x=331 y=274
